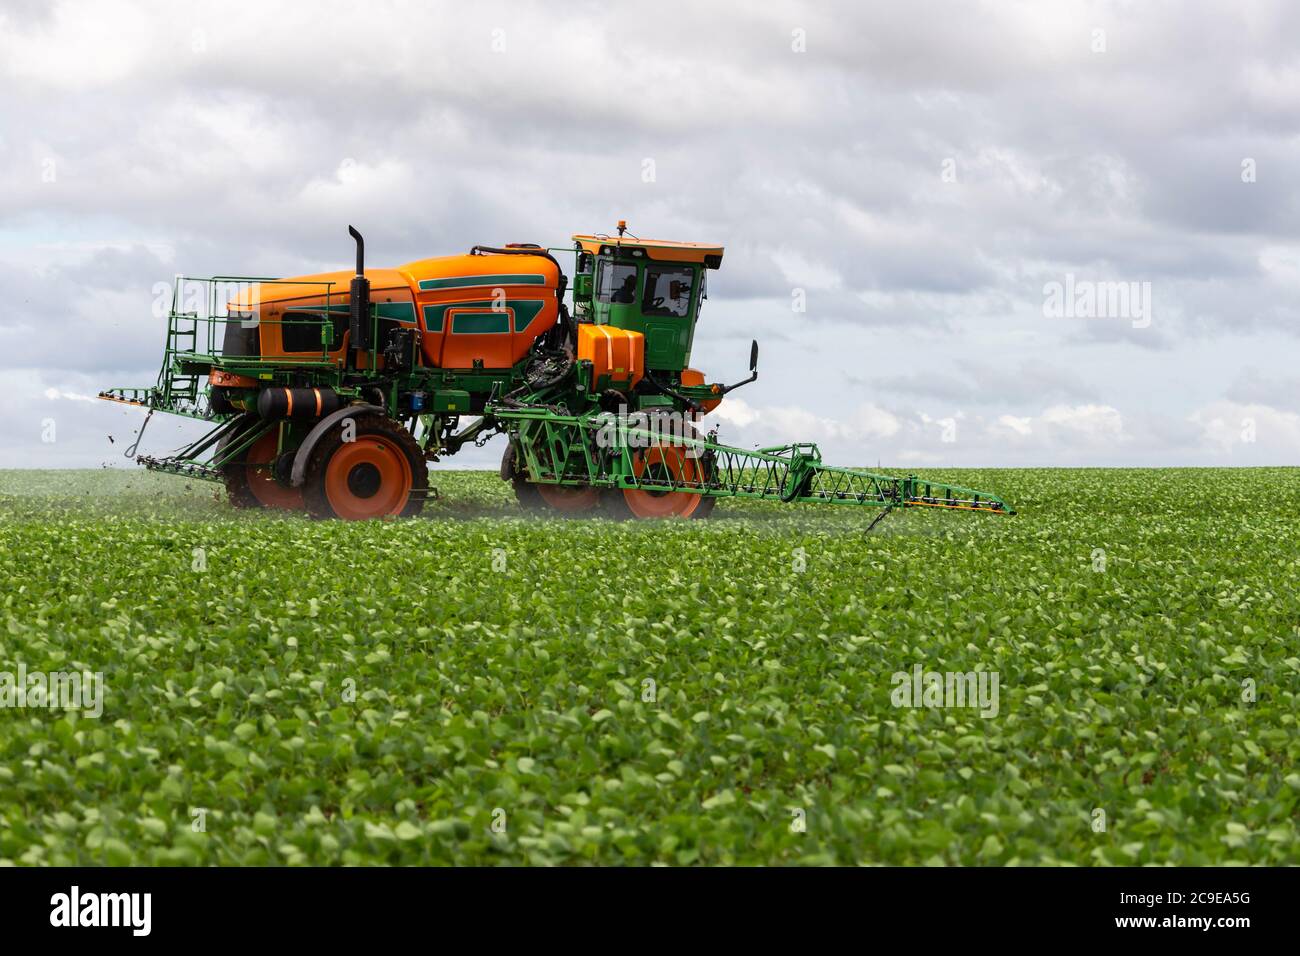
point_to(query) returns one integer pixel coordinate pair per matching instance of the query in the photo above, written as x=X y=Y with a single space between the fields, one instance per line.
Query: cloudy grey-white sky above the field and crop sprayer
x=928 y=207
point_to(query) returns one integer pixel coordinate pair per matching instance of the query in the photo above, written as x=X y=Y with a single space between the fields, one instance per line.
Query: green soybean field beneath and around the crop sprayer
x=774 y=686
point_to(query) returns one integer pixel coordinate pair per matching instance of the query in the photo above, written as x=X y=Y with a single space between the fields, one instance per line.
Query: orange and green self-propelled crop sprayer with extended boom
x=332 y=392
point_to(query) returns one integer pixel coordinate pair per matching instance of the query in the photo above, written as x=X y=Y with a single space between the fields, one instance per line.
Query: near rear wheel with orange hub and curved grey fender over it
x=380 y=474
